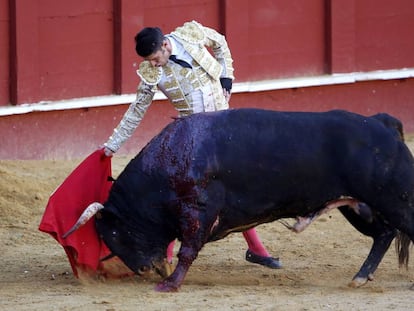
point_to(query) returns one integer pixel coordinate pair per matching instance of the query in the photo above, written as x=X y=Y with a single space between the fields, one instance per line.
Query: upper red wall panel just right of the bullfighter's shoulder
x=276 y=39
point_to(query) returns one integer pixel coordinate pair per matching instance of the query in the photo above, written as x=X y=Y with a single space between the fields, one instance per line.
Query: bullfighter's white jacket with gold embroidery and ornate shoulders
x=177 y=82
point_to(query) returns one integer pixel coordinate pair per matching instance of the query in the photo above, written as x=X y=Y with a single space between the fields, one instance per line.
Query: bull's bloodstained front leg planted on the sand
x=193 y=239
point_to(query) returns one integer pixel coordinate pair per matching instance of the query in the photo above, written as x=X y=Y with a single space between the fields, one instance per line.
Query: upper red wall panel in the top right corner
x=384 y=34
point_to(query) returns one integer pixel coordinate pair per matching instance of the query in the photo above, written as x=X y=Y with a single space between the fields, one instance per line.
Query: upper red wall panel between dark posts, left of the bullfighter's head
x=67 y=53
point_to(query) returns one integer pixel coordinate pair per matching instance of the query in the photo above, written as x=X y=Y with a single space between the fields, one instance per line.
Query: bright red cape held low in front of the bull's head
x=88 y=183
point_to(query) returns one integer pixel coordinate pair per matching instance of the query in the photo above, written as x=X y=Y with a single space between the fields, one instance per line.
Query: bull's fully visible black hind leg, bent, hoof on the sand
x=382 y=236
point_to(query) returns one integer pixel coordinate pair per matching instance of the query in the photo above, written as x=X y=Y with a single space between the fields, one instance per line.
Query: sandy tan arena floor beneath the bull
x=318 y=263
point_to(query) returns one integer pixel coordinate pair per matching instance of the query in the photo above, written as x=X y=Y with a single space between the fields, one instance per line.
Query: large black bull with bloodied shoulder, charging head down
x=210 y=174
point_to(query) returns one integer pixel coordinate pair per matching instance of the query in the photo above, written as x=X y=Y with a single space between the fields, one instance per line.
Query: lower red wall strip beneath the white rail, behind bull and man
x=76 y=133
